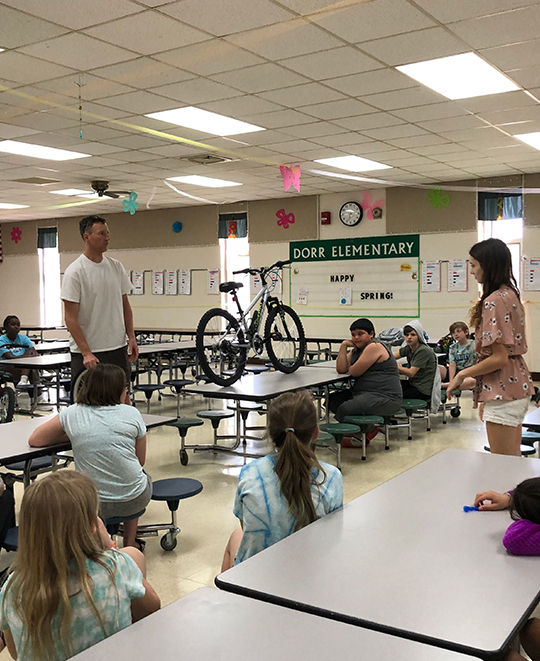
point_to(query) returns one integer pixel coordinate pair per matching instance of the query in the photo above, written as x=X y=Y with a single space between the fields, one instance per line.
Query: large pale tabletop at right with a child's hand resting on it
x=405 y=558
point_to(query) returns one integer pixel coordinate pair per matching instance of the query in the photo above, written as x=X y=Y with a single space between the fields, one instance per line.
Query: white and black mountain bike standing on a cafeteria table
x=223 y=340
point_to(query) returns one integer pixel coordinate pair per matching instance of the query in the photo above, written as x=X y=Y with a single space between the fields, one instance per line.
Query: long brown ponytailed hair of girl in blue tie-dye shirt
x=296 y=413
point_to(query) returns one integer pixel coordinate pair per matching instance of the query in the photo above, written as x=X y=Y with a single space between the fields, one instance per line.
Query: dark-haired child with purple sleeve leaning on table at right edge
x=521 y=538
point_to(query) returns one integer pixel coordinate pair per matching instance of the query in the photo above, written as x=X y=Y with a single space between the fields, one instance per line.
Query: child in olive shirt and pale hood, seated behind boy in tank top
x=422 y=372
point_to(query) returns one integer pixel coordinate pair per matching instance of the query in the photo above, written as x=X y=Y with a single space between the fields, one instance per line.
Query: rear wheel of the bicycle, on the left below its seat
x=221 y=350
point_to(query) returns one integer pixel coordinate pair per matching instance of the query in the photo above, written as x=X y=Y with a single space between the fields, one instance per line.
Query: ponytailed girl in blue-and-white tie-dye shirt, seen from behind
x=285 y=491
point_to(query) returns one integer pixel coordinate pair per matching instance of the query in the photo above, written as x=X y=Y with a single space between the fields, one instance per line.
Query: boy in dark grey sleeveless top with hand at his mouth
x=375 y=389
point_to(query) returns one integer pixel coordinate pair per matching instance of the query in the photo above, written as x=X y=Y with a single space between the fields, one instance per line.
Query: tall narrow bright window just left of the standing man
x=49 y=277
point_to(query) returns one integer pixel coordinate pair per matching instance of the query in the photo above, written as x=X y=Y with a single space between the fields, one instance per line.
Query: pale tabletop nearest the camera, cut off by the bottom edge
x=209 y=624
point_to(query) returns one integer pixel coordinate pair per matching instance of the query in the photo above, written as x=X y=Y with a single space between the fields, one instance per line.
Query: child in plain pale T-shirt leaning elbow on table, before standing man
x=108 y=438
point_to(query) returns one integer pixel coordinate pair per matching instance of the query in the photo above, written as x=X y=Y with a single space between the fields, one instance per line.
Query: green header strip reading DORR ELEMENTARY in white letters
x=373 y=247
